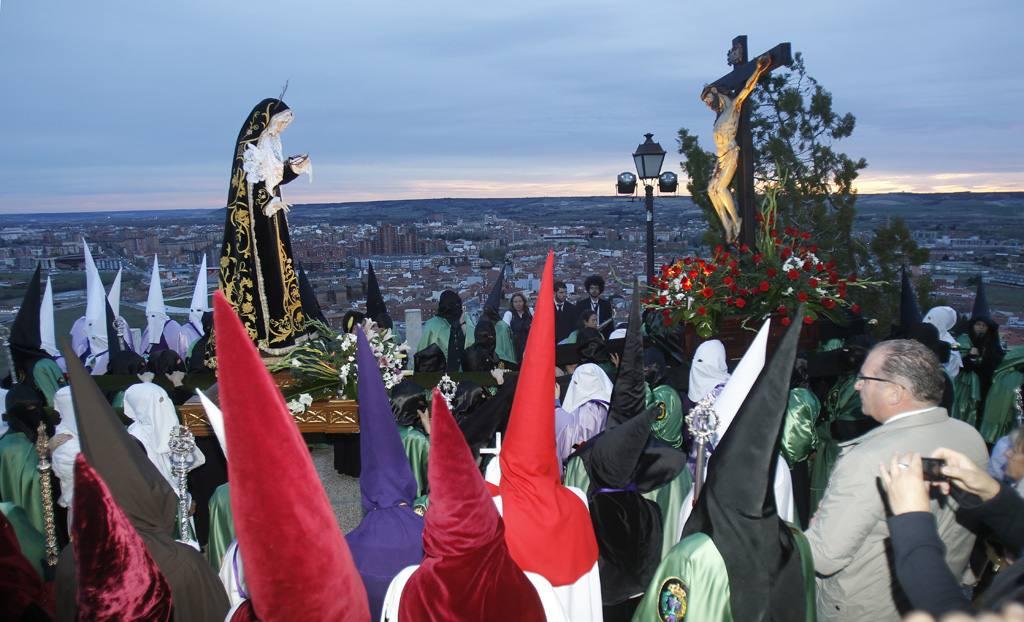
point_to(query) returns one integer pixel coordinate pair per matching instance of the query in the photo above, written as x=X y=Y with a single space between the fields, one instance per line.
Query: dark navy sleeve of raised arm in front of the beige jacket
x=919 y=558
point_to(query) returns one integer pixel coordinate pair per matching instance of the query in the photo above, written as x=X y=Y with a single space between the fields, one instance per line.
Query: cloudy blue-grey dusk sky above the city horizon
x=129 y=104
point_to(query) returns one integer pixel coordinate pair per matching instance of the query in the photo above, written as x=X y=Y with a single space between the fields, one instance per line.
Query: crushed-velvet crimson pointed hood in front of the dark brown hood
x=117 y=578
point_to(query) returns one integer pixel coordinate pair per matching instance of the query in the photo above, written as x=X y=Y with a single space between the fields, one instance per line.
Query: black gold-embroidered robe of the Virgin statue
x=258 y=274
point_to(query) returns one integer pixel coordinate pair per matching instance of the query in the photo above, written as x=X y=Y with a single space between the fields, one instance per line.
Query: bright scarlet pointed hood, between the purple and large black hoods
x=548 y=528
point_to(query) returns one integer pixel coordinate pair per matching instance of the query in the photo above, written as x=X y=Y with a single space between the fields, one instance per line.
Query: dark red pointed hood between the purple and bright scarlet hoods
x=467 y=572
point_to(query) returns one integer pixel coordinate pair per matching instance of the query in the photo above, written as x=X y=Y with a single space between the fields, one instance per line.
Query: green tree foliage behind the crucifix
x=794 y=130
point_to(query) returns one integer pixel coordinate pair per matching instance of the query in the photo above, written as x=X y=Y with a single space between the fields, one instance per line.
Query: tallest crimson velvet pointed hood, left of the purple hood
x=297 y=562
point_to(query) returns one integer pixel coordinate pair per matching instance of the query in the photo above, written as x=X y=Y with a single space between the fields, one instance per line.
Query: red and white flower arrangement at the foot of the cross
x=782 y=271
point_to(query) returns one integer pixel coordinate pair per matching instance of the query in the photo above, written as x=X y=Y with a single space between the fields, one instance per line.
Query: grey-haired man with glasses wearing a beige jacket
x=901 y=386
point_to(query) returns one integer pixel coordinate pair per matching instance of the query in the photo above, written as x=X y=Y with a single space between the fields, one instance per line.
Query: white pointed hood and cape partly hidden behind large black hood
x=728 y=405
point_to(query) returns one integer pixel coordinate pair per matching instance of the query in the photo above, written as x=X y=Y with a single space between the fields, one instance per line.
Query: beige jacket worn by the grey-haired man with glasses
x=849 y=534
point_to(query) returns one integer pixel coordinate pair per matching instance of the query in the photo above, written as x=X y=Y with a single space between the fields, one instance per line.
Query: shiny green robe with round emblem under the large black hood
x=693 y=584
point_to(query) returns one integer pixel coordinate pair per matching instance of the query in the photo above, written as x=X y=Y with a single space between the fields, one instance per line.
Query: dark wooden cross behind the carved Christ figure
x=733 y=82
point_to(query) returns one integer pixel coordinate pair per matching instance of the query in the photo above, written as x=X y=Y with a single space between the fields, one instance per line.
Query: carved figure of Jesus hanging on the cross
x=727 y=127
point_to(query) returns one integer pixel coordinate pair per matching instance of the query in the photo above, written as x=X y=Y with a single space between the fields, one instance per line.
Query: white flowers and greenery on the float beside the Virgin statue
x=324 y=367
